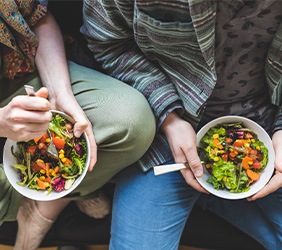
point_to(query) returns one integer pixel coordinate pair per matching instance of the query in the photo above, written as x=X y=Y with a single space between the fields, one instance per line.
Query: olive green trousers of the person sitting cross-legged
x=123 y=125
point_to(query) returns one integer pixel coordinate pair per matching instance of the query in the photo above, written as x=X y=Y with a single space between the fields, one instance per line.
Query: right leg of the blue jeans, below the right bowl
x=261 y=219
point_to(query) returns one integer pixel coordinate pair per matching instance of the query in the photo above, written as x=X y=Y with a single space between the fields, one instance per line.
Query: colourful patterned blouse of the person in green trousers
x=18 y=42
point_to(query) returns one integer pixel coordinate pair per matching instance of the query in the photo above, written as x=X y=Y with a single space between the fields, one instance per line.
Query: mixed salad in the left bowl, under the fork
x=39 y=170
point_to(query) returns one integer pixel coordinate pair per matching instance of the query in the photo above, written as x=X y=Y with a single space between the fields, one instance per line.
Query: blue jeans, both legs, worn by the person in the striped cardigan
x=150 y=212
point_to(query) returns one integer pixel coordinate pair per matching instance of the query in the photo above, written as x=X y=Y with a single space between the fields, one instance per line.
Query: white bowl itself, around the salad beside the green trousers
x=13 y=176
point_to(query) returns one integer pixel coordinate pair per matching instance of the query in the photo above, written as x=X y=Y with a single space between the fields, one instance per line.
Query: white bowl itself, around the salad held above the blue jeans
x=266 y=174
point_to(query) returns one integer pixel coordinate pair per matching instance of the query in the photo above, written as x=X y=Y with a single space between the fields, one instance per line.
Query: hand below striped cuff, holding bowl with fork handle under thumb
x=182 y=140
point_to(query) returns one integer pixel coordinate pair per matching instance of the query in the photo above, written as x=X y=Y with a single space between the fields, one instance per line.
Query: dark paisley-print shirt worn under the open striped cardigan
x=244 y=31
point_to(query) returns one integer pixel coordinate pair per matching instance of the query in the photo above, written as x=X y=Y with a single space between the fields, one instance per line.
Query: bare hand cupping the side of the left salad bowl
x=67 y=103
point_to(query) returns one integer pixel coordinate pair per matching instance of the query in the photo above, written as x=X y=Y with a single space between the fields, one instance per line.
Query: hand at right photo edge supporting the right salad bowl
x=276 y=181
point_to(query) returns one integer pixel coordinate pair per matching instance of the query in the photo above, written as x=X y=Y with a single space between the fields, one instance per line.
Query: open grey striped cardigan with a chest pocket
x=165 y=49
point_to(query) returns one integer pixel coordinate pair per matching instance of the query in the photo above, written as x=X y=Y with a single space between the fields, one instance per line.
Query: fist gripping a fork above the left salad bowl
x=26 y=117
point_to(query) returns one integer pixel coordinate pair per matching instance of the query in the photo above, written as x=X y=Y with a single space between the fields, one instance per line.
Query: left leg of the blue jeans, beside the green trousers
x=150 y=212
